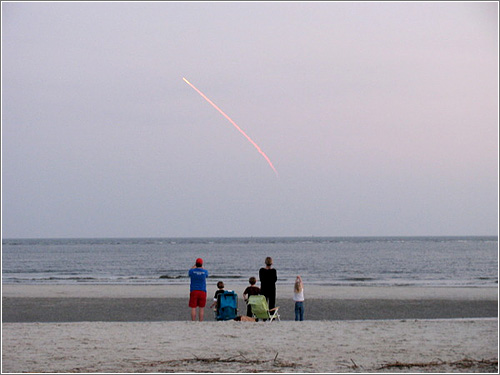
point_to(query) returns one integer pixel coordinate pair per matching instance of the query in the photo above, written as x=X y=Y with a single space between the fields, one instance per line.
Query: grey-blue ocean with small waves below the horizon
x=349 y=261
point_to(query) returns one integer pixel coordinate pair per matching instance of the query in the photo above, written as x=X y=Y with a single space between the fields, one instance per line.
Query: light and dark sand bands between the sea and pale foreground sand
x=164 y=303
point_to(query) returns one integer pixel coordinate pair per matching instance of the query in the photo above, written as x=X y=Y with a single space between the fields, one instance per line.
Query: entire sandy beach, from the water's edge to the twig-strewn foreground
x=439 y=330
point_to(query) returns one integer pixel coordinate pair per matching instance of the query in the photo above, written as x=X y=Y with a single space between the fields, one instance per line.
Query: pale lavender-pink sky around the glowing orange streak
x=381 y=119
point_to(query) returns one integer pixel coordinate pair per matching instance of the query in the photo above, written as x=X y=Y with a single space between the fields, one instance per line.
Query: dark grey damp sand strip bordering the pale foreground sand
x=176 y=309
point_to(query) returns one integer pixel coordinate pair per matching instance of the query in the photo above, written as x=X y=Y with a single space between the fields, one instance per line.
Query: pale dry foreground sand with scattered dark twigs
x=309 y=346
